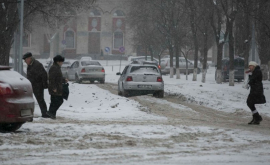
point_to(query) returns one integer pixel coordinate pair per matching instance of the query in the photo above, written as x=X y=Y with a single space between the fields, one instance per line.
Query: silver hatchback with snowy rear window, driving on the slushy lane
x=140 y=79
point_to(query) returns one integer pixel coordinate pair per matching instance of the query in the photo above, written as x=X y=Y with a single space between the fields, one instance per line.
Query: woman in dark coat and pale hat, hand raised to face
x=256 y=95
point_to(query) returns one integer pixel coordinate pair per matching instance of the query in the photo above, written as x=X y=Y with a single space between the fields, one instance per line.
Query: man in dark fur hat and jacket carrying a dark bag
x=56 y=81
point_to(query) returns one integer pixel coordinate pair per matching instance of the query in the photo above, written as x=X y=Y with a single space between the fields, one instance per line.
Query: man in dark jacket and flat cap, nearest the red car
x=37 y=75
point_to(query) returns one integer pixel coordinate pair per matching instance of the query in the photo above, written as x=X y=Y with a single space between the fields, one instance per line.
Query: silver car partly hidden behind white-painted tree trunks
x=165 y=65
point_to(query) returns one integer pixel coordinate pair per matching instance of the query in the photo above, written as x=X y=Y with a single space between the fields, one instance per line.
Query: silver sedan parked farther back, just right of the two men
x=86 y=70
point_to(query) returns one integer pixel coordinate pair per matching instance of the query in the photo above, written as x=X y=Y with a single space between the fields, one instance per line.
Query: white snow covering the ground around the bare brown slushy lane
x=93 y=127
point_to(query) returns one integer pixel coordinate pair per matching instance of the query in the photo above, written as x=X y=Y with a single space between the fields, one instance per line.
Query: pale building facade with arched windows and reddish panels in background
x=87 y=34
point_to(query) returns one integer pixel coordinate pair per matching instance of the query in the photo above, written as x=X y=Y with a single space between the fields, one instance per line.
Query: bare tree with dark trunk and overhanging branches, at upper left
x=39 y=11
